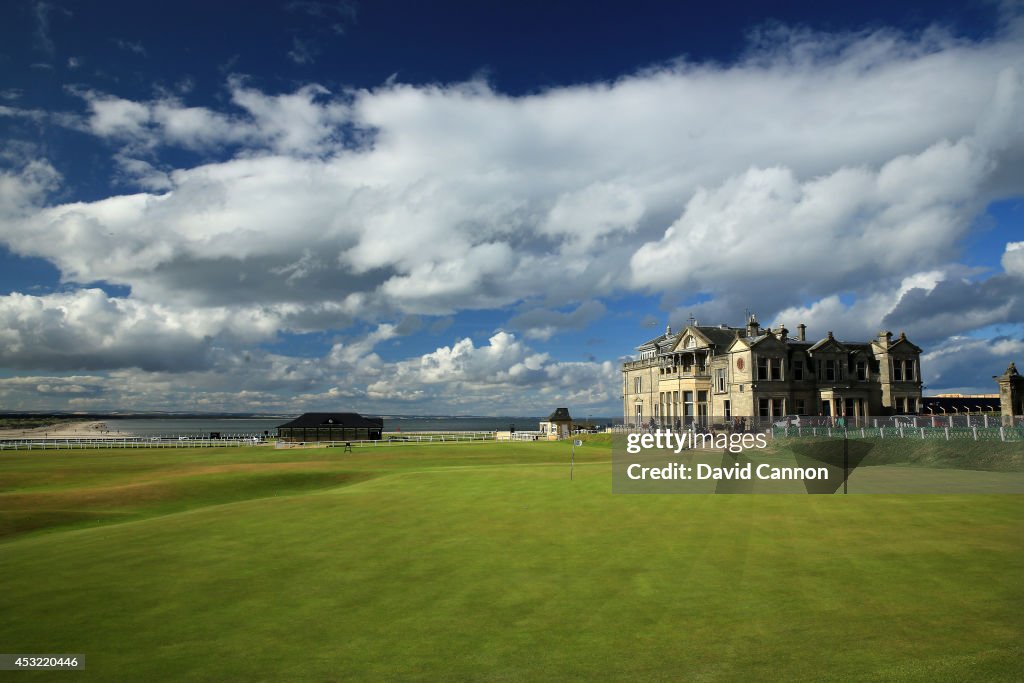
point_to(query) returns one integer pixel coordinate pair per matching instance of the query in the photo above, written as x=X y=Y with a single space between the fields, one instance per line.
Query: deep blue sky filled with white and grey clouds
x=482 y=208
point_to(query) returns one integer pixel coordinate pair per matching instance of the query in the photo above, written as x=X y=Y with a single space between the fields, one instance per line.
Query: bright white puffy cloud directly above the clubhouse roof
x=825 y=233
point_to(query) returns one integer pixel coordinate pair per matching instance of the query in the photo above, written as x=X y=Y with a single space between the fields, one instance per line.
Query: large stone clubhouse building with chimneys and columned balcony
x=711 y=375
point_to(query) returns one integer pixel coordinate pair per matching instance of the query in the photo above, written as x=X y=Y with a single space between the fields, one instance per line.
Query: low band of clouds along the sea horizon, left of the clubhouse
x=503 y=376
